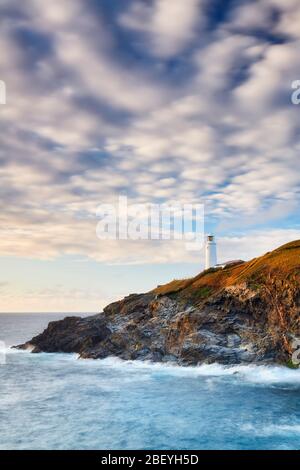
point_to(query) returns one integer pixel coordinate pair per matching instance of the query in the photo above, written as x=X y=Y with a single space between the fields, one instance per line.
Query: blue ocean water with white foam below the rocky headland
x=55 y=401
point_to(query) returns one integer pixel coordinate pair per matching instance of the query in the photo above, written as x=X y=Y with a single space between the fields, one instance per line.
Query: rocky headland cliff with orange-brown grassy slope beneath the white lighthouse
x=246 y=313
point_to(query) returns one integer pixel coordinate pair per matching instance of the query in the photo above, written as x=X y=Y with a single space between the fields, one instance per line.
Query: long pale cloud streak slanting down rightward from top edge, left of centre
x=84 y=48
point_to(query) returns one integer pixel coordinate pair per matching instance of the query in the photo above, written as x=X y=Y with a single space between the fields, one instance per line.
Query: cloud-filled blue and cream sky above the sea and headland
x=156 y=100
